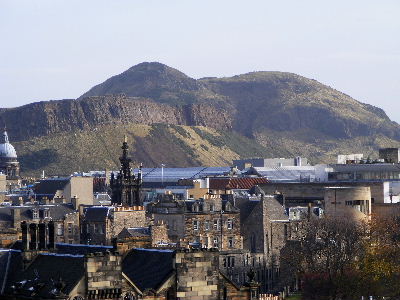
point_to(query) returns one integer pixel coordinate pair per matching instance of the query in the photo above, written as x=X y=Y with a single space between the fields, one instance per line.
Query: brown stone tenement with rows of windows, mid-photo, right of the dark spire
x=208 y=222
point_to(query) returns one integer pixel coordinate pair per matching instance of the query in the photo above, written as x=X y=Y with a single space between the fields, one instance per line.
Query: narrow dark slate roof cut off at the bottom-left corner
x=10 y=266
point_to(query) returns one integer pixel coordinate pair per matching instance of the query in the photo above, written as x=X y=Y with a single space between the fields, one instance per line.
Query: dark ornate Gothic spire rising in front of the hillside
x=125 y=186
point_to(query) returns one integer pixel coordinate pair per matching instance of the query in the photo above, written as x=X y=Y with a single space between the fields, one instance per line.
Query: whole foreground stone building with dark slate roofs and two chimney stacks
x=104 y=274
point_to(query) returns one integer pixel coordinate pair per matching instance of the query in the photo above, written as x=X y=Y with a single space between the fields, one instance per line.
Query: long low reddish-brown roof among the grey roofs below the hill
x=236 y=183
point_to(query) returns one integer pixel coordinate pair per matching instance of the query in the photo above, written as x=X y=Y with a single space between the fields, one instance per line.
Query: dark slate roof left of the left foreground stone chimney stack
x=48 y=268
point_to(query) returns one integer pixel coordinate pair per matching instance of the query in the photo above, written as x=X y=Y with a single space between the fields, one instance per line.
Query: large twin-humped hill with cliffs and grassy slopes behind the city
x=254 y=114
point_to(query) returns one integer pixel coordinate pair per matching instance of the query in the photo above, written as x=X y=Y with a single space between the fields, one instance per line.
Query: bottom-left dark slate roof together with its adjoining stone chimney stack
x=66 y=276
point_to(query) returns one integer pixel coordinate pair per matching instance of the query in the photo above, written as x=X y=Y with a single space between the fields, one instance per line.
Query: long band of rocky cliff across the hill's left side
x=44 y=118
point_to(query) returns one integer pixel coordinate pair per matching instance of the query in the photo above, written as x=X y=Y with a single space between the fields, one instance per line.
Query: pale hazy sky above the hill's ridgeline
x=59 y=49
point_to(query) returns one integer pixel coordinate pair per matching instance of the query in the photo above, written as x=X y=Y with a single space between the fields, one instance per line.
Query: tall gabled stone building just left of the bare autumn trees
x=265 y=228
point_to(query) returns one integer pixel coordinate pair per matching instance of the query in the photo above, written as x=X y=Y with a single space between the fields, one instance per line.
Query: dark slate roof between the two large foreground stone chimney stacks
x=148 y=268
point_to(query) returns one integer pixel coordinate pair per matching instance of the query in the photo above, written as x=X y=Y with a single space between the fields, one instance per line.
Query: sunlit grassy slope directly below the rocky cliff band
x=152 y=145
